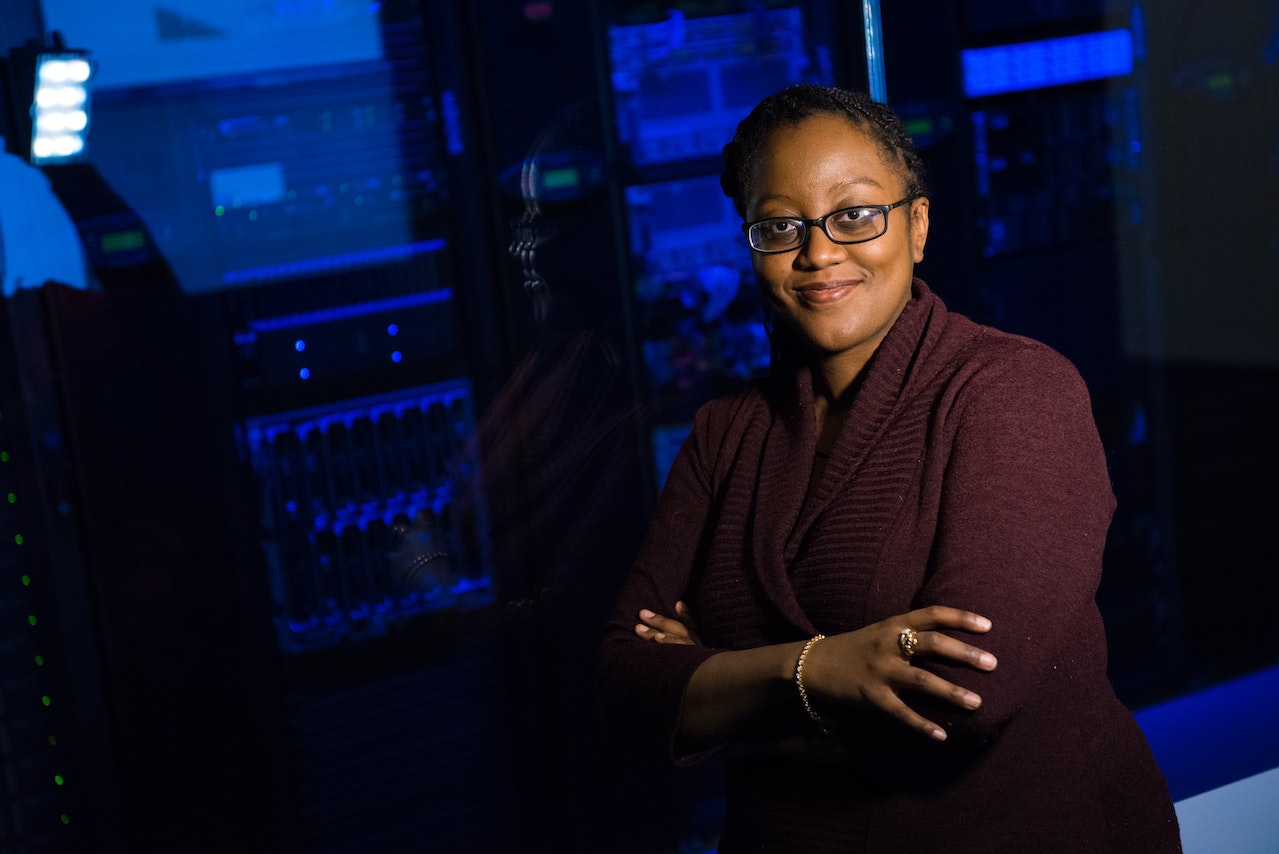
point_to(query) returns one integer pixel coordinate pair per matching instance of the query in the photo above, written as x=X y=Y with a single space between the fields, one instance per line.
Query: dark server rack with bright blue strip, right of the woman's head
x=1044 y=159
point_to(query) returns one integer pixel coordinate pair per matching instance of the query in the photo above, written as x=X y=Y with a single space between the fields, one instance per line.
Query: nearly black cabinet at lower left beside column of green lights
x=167 y=699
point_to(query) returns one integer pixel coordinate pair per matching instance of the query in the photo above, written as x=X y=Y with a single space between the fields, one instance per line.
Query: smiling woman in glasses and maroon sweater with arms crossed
x=891 y=548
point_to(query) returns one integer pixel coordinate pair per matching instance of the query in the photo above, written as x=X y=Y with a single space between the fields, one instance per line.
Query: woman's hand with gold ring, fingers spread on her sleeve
x=870 y=668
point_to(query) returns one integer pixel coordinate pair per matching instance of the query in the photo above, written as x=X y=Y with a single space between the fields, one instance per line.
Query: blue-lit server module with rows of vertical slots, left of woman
x=342 y=484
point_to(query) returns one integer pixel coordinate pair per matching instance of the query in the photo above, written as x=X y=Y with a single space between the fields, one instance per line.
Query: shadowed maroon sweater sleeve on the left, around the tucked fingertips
x=643 y=683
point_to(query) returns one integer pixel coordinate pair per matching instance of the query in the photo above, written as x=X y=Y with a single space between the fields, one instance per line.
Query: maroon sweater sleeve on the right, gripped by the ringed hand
x=1025 y=507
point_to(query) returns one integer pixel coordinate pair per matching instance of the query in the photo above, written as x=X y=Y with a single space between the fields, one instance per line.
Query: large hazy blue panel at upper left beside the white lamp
x=334 y=166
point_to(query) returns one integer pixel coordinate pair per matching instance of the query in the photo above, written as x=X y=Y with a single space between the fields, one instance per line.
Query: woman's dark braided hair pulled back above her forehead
x=791 y=107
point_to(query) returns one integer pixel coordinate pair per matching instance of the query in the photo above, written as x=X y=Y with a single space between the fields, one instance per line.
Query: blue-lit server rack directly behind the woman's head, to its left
x=680 y=79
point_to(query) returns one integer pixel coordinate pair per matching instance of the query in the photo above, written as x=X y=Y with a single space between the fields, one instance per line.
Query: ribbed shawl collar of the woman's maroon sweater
x=782 y=437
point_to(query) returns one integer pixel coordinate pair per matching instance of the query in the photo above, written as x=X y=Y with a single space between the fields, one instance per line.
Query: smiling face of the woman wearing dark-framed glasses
x=841 y=300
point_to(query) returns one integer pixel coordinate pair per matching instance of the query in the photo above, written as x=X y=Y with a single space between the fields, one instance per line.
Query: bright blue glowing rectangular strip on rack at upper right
x=1052 y=62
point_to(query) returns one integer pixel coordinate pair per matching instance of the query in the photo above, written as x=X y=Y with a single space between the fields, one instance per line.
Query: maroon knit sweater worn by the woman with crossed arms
x=970 y=474
